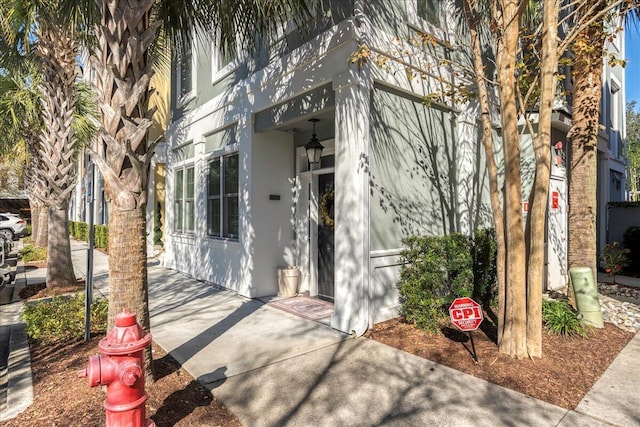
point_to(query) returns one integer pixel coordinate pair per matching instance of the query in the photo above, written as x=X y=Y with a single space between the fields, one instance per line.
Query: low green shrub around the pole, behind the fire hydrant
x=61 y=318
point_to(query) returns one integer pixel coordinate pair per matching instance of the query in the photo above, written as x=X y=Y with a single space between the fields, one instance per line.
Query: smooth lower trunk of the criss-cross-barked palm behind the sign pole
x=59 y=270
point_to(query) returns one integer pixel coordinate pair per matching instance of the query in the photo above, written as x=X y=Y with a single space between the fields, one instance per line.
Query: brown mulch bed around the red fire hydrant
x=61 y=398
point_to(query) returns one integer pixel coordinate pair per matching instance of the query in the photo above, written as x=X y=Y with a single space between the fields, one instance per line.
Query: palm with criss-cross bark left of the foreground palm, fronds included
x=47 y=29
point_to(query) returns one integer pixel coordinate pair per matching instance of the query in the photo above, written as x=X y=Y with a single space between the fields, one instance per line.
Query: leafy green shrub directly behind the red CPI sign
x=435 y=271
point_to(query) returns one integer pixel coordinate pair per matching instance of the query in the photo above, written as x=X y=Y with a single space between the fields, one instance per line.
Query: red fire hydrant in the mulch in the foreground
x=121 y=369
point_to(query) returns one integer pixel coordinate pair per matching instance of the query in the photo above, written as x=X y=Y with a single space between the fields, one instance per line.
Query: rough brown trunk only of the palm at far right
x=587 y=82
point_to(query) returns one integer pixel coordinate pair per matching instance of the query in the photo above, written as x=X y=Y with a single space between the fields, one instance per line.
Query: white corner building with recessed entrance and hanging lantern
x=244 y=200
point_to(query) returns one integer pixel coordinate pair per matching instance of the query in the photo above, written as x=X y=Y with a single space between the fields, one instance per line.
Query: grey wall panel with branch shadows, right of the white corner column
x=416 y=172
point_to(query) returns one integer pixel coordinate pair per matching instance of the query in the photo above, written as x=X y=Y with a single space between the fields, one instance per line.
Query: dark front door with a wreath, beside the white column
x=326 y=227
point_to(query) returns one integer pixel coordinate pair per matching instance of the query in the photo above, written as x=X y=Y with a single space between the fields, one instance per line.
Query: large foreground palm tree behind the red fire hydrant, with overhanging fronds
x=124 y=63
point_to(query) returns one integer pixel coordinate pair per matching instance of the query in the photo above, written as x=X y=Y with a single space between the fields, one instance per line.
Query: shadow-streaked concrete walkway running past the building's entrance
x=271 y=368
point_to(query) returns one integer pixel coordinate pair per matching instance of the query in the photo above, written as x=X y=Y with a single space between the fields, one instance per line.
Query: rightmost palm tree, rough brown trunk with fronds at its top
x=593 y=28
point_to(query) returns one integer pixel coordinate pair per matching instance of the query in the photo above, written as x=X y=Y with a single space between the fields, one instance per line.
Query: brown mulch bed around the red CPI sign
x=568 y=369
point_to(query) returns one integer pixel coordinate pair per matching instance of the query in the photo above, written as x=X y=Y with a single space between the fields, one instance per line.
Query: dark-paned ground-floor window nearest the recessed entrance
x=222 y=197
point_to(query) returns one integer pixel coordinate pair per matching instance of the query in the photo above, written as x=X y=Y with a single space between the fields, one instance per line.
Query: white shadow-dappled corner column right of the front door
x=353 y=91
